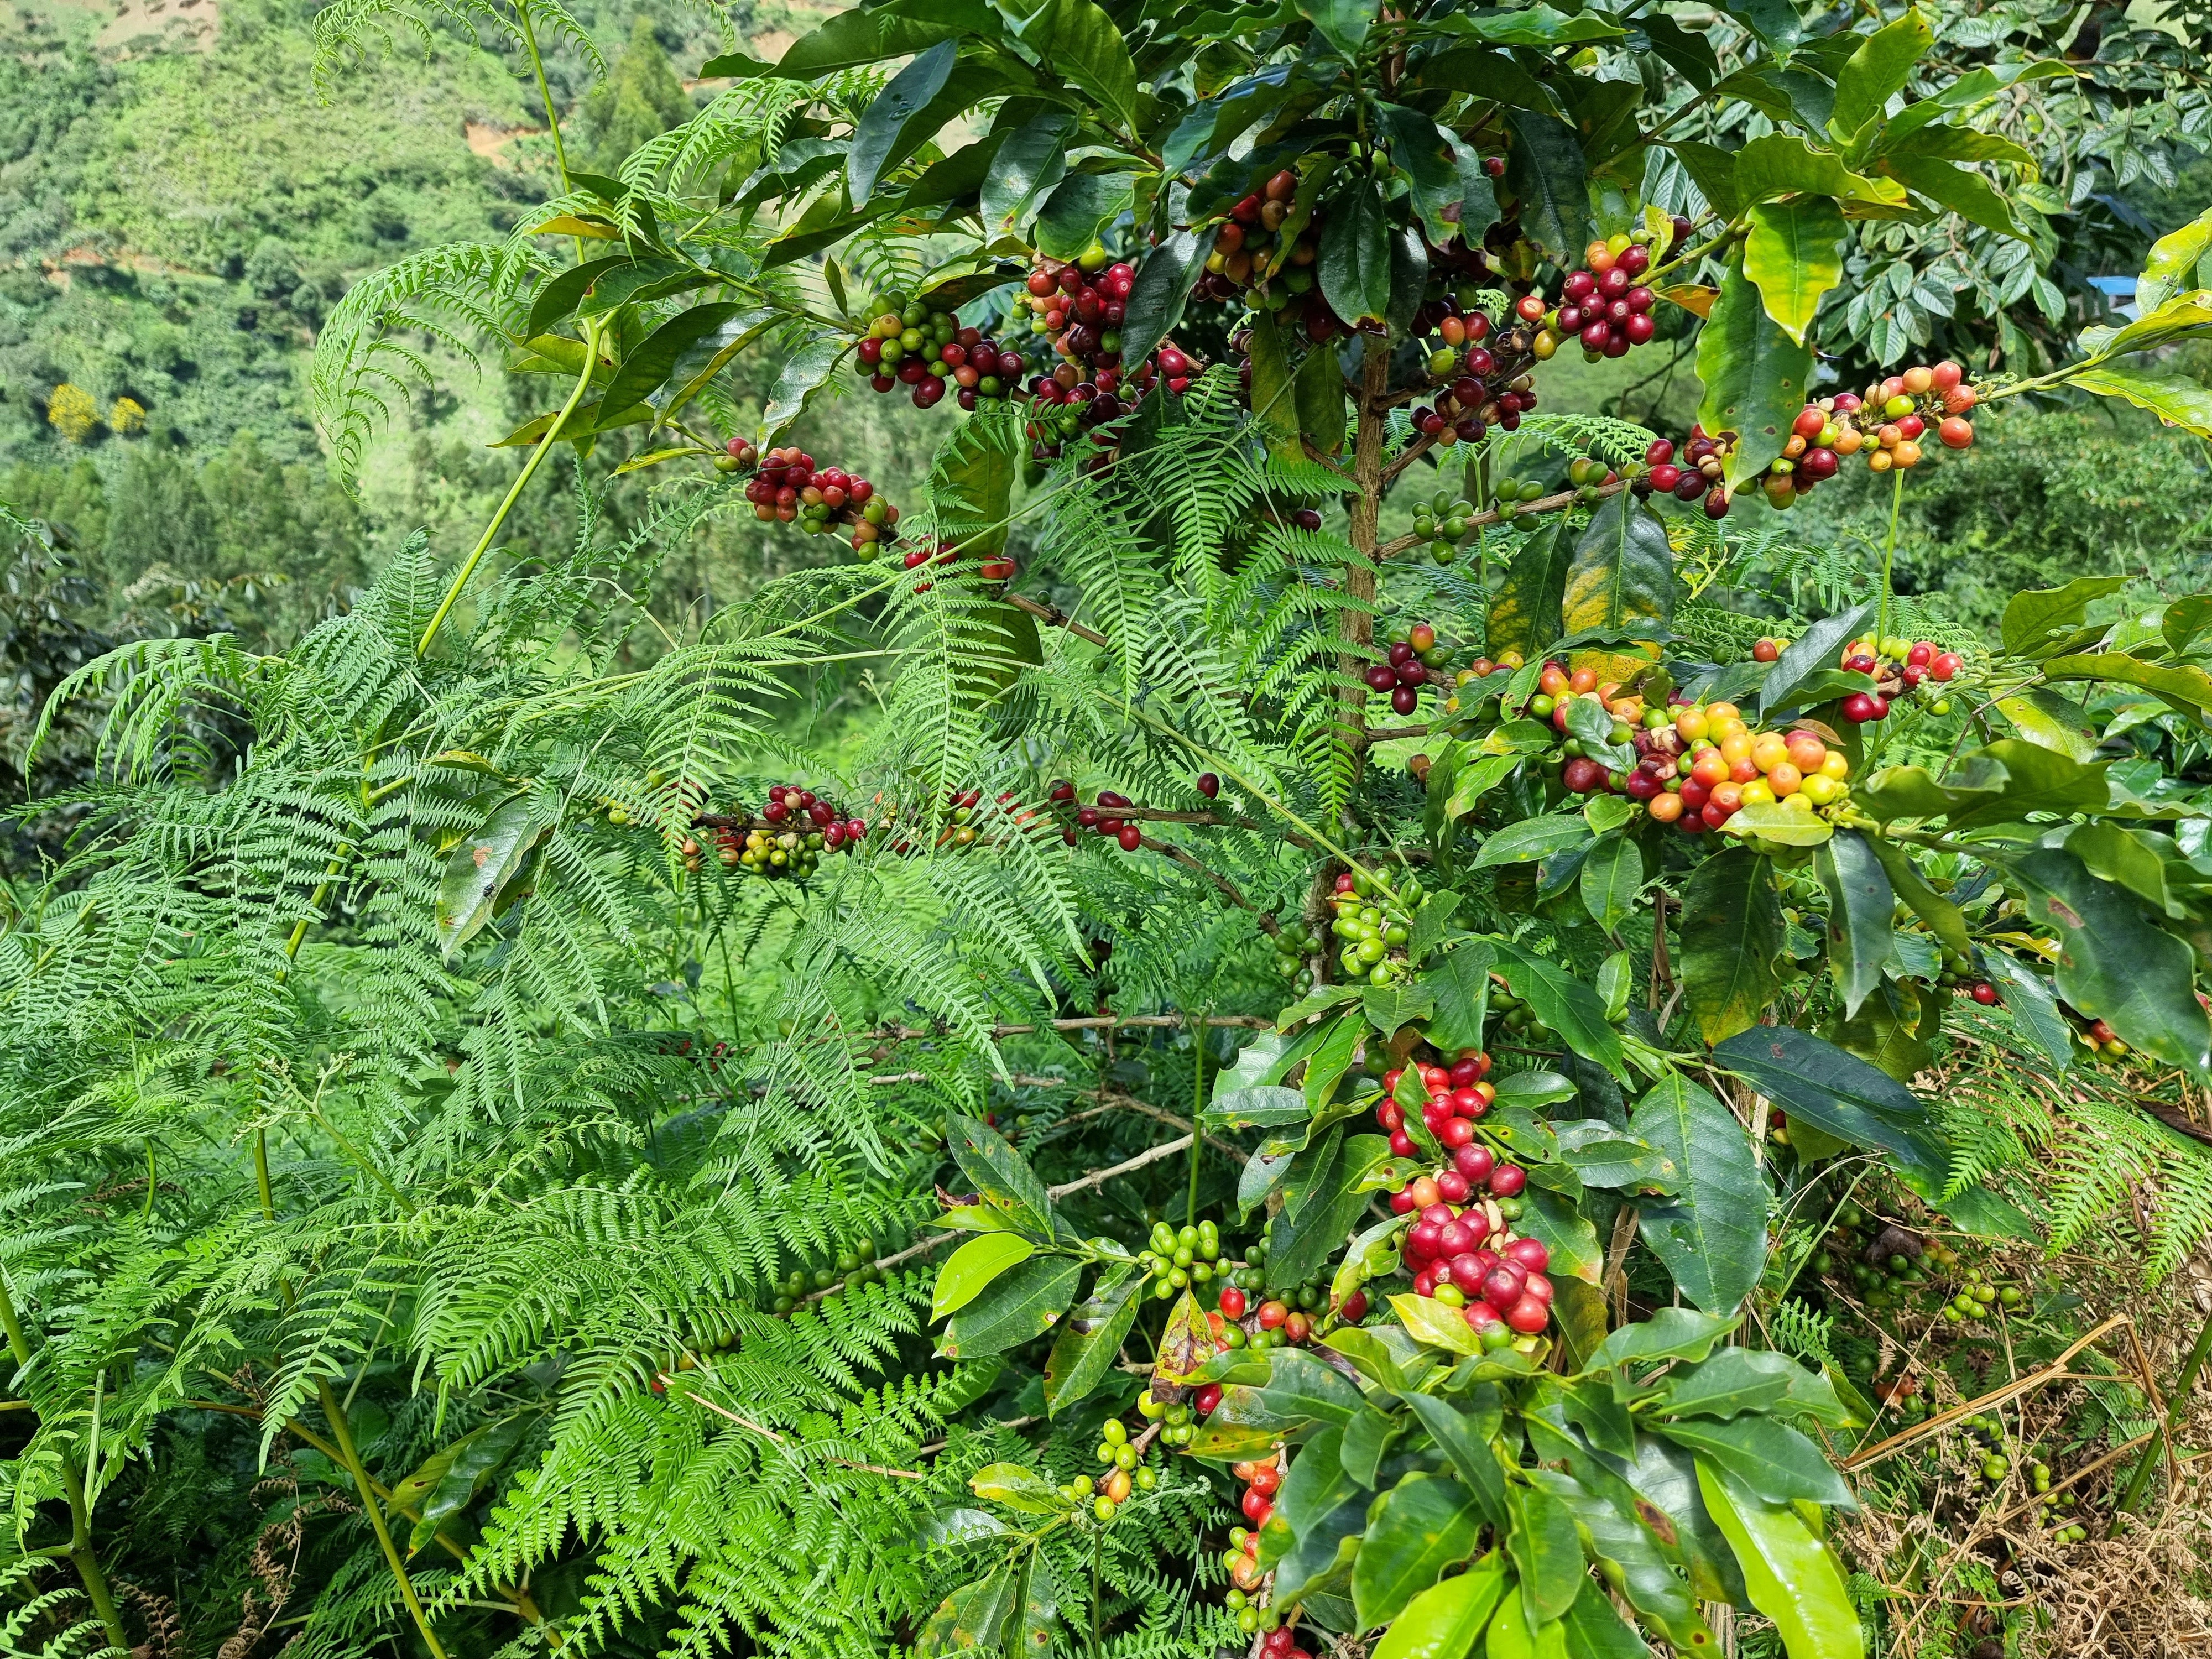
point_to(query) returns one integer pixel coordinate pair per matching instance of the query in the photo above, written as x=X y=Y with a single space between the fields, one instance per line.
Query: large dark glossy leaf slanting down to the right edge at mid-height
x=2116 y=963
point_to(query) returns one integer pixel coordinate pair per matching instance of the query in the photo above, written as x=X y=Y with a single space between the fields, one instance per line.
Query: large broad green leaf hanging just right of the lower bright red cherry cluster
x=1713 y=1233
